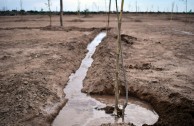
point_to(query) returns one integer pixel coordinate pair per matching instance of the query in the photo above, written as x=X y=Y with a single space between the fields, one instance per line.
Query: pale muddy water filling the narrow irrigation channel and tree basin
x=80 y=108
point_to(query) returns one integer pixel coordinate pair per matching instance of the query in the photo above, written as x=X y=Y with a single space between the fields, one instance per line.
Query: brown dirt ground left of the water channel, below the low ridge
x=35 y=65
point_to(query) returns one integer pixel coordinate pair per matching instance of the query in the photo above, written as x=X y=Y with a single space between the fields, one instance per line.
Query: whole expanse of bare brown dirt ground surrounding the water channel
x=36 y=61
